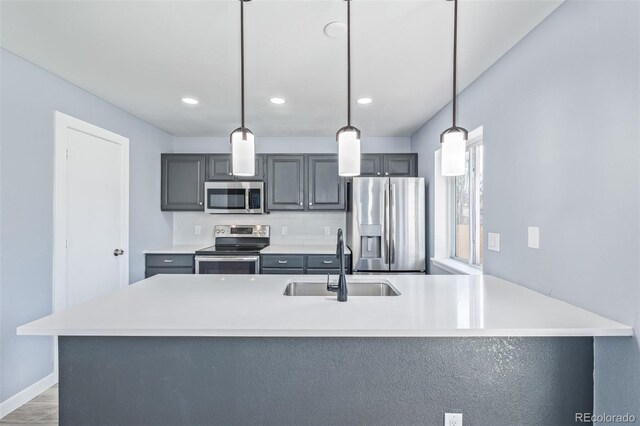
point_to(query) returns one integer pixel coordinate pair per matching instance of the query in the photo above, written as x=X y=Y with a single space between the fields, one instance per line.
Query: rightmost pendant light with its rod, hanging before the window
x=454 y=139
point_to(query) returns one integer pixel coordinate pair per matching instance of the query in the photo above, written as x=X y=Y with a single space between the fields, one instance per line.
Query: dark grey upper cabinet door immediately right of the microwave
x=285 y=182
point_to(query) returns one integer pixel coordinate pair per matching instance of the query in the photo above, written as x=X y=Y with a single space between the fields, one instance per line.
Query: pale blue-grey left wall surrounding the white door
x=30 y=95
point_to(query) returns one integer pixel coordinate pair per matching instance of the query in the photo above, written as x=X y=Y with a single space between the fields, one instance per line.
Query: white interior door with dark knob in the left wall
x=91 y=212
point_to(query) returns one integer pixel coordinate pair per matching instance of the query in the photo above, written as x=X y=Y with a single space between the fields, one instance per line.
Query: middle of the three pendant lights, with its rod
x=348 y=137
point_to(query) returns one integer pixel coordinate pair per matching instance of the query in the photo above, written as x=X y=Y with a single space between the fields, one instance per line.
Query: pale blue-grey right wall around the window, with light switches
x=561 y=131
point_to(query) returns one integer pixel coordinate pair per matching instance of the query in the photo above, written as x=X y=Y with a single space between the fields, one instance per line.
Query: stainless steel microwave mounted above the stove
x=234 y=197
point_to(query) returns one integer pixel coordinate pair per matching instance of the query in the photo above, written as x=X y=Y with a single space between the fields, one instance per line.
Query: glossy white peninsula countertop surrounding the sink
x=253 y=305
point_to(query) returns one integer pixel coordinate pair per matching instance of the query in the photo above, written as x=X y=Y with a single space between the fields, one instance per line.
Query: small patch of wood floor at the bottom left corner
x=41 y=410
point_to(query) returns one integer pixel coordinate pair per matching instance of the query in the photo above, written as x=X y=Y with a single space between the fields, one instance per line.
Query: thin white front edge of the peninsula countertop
x=567 y=332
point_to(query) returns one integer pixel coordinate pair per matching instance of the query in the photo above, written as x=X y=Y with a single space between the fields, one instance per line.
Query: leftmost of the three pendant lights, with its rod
x=243 y=149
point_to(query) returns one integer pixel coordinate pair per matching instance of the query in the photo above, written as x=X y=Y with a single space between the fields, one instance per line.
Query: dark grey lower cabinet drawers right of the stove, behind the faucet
x=315 y=264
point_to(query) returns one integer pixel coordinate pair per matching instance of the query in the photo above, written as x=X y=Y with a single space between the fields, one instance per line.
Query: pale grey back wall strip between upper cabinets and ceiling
x=292 y=144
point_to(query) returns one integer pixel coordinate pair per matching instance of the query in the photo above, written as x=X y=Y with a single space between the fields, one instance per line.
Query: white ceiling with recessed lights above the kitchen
x=144 y=56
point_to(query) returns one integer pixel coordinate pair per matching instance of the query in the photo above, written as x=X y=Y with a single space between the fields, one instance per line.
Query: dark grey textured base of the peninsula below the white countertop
x=324 y=381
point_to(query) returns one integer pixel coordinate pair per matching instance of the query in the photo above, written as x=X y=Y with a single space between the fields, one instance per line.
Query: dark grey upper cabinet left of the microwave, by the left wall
x=182 y=182
